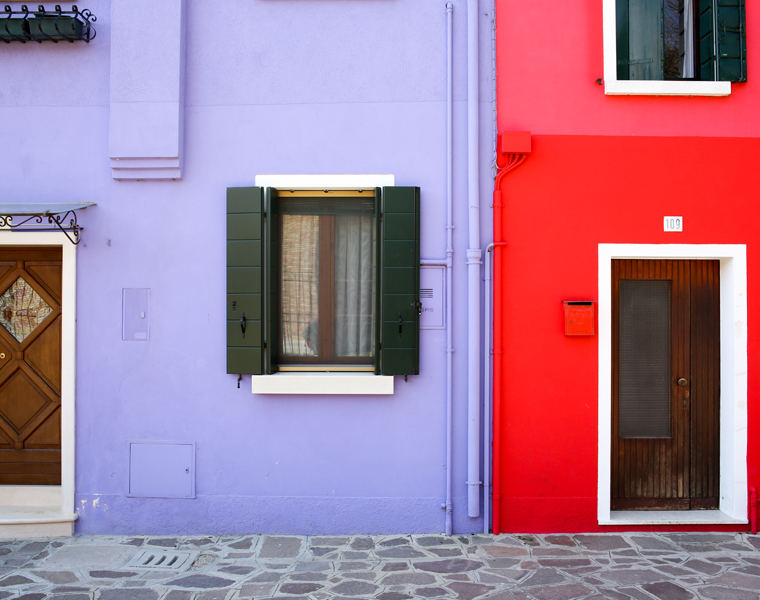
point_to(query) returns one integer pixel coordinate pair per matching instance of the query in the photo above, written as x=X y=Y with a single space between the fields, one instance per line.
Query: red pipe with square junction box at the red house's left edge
x=513 y=148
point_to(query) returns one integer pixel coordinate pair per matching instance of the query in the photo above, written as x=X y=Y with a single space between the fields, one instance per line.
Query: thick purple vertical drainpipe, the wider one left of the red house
x=473 y=268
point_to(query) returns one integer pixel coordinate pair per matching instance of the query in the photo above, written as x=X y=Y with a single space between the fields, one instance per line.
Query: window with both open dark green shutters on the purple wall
x=323 y=279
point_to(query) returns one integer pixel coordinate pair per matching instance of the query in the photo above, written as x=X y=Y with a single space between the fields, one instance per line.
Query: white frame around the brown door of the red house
x=733 y=383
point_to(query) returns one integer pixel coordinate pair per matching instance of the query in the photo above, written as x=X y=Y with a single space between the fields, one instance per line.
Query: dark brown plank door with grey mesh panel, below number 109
x=665 y=384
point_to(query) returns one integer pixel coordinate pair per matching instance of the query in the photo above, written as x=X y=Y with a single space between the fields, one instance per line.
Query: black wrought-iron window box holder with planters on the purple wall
x=47 y=26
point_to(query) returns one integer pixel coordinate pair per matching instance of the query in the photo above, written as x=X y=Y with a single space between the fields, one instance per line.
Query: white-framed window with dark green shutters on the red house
x=693 y=47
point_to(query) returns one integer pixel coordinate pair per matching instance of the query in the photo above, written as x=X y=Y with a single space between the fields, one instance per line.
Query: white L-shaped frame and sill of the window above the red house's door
x=615 y=87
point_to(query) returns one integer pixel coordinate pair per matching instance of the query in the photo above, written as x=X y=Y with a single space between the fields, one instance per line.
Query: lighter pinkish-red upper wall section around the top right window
x=549 y=56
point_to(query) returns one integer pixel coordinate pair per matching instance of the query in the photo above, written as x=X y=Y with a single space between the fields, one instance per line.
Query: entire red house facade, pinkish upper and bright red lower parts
x=602 y=169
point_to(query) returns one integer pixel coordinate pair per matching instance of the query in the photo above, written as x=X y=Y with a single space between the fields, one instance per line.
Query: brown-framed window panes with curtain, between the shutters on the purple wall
x=327 y=280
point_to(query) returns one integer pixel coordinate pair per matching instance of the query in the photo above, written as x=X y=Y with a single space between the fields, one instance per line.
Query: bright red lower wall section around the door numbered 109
x=573 y=193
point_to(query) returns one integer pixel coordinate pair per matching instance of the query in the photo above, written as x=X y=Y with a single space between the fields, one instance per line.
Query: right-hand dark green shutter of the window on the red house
x=731 y=41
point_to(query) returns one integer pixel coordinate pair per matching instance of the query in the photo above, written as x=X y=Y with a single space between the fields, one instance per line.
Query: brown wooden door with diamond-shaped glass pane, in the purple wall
x=30 y=366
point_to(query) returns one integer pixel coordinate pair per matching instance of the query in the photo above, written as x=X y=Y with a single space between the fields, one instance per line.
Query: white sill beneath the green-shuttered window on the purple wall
x=322 y=383
